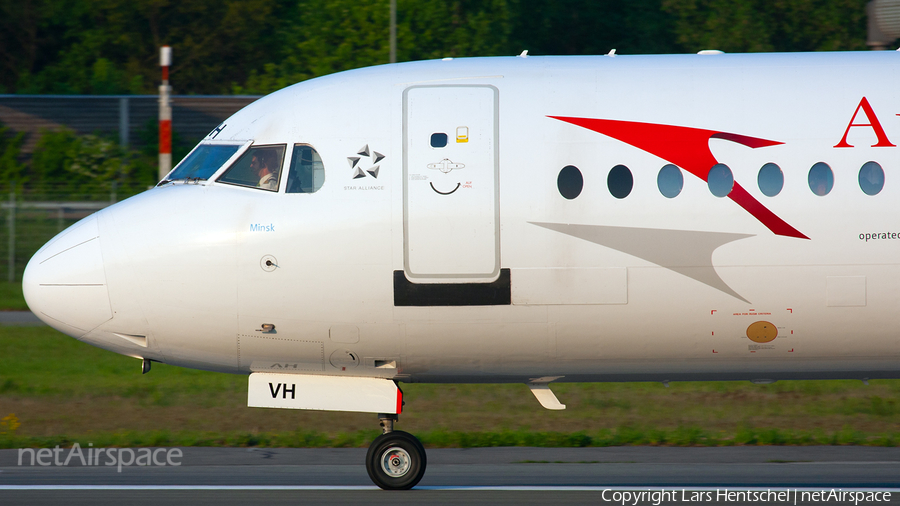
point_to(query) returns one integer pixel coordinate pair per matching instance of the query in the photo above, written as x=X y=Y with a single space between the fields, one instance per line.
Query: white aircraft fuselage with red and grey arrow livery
x=368 y=272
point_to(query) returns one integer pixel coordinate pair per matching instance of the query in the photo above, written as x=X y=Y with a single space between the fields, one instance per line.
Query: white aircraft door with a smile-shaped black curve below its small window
x=451 y=216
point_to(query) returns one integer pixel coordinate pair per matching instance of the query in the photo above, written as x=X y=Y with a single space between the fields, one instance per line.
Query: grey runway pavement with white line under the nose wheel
x=465 y=476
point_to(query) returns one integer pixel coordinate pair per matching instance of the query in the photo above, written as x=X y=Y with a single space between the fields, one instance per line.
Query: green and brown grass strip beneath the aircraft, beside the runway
x=58 y=390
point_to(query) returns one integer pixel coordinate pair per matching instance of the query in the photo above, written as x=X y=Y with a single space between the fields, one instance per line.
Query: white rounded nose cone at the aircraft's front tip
x=64 y=282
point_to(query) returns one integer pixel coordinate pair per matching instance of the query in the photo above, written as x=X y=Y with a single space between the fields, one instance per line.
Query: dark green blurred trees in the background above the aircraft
x=258 y=46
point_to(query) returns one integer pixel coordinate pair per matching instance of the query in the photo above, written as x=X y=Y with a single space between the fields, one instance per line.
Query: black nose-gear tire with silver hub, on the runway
x=396 y=461
